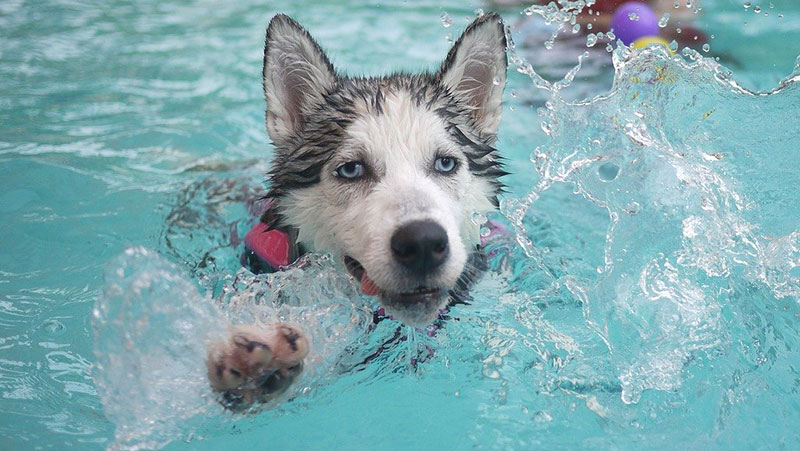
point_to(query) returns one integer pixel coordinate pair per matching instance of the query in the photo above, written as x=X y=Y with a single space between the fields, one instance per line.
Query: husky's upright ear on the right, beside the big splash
x=475 y=70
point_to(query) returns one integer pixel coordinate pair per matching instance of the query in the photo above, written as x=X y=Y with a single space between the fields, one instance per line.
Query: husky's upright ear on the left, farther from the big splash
x=296 y=73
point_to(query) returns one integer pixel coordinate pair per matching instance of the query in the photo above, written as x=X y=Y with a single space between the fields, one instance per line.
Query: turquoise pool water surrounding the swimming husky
x=649 y=296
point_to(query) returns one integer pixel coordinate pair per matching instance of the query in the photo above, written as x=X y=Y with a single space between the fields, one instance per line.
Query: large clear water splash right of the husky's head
x=670 y=154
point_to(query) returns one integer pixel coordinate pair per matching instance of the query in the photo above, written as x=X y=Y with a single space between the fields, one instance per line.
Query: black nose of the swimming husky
x=420 y=246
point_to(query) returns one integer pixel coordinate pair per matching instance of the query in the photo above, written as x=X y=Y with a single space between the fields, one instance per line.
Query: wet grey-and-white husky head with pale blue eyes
x=387 y=173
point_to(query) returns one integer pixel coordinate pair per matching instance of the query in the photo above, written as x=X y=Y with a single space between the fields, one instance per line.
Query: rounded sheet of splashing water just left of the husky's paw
x=151 y=327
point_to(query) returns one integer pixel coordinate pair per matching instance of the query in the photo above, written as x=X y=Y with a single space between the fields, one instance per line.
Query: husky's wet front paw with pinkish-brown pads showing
x=256 y=363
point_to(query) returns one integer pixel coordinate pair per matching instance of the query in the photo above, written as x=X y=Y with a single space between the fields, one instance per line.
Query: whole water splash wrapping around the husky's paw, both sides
x=152 y=327
